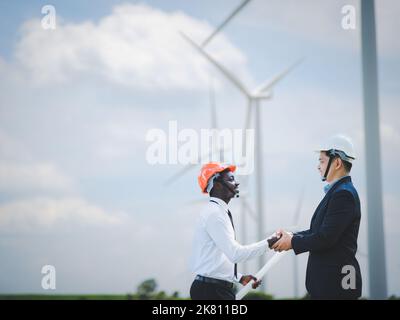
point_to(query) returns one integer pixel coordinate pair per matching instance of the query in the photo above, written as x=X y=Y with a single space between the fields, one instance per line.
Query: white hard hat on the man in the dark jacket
x=339 y=145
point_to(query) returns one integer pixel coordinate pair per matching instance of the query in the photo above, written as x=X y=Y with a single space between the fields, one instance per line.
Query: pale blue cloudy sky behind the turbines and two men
x=77 y=103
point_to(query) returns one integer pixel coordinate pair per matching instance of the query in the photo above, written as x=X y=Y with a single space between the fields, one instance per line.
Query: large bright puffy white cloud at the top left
x=136 y=46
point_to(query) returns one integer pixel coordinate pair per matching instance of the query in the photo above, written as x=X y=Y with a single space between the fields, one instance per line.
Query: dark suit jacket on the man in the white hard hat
x=332 y=244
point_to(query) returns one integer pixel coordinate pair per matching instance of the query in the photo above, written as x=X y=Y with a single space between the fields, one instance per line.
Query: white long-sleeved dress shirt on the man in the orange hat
x=215 y=250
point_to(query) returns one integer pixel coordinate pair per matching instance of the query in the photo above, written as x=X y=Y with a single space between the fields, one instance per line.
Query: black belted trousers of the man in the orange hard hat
x=210 y=291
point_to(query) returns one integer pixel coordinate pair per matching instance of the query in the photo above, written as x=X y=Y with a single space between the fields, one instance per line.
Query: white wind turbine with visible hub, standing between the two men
x=261 y=92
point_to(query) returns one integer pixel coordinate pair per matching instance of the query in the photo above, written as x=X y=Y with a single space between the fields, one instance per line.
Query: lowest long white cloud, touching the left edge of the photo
x=35 y=214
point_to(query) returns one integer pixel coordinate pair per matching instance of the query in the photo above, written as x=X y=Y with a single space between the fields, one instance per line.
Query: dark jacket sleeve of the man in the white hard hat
x=339 y=215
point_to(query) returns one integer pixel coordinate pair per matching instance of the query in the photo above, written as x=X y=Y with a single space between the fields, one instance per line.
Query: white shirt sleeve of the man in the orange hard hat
x=220 y=230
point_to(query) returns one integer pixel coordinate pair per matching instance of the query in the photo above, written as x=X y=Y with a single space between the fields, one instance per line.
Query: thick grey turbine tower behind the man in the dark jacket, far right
x=376 y=239
